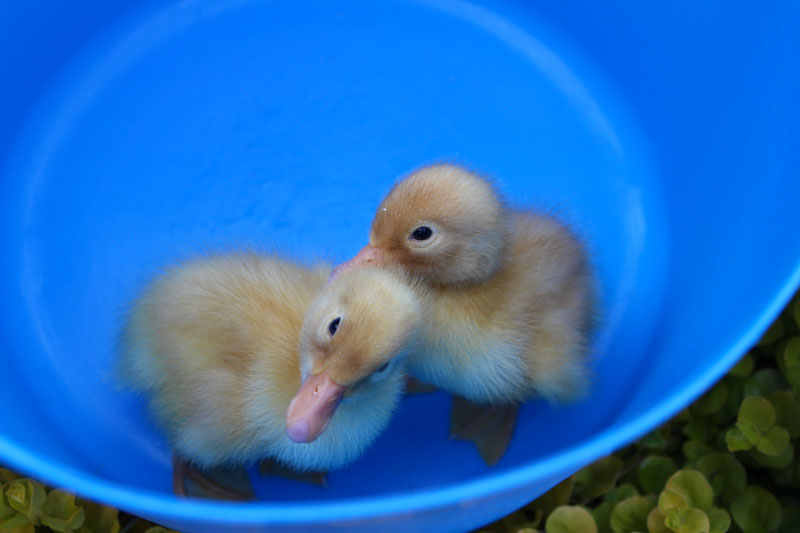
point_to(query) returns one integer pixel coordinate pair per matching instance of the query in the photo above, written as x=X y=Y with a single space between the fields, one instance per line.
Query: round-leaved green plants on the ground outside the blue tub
x=726 y=463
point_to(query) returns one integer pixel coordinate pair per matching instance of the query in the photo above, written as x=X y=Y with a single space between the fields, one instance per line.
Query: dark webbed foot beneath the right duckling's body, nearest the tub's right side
x=489 y=427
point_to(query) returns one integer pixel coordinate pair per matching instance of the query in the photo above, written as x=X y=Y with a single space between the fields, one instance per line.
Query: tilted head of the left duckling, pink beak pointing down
x=352 y=344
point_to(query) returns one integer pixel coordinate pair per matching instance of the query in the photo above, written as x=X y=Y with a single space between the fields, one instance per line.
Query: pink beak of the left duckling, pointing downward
x=312 y=407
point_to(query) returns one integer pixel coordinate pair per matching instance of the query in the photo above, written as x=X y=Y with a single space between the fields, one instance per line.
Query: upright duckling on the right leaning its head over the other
x=511 y=294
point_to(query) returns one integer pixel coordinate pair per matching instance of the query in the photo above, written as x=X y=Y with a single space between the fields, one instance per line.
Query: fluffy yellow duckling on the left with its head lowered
x=246 y=357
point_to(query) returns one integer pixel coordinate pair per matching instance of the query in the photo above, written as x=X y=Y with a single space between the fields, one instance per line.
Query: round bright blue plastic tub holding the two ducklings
x=135 y=133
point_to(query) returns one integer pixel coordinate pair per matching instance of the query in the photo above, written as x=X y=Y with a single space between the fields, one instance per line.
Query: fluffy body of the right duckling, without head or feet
x=519 y=334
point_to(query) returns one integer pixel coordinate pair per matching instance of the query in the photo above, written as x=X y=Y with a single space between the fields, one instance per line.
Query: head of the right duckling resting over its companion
x=441 y=223
